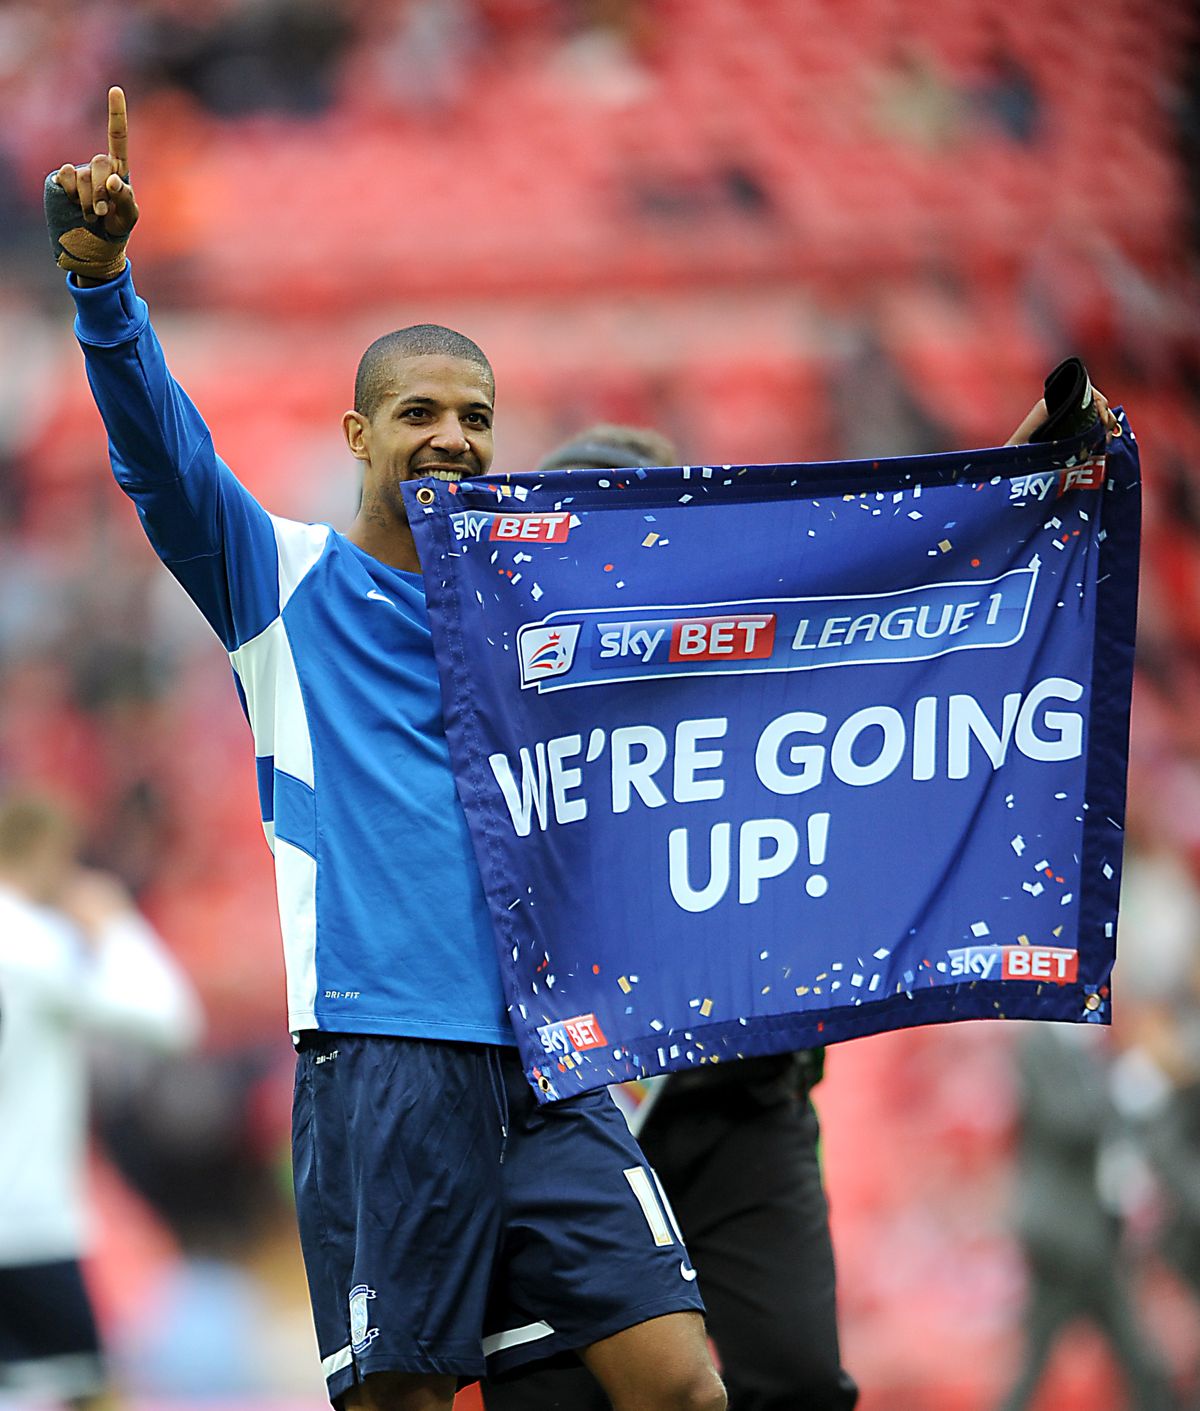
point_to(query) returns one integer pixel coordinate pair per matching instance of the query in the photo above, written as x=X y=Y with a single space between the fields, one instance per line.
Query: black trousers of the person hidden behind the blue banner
x=745 y=1182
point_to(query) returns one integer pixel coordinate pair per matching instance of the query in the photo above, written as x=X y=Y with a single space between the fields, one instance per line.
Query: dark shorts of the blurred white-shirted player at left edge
x=49 y=1345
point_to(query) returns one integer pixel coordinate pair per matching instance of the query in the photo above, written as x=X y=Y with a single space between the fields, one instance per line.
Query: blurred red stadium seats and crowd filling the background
x=773 y=229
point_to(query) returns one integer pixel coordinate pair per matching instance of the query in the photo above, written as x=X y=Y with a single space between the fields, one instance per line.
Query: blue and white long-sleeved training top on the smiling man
x=385 y=923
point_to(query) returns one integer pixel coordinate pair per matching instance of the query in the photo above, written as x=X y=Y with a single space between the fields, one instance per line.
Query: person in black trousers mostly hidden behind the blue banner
x=736 y=1149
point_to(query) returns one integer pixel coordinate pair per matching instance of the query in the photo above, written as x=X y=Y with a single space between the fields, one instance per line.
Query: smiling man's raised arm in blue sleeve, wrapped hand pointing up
x=208 y=530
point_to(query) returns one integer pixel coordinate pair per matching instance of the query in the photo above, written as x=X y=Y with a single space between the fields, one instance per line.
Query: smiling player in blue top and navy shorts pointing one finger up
x=448 y=1224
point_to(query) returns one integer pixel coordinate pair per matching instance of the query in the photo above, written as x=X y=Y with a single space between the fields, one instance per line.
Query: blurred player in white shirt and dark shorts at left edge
x=76 y=960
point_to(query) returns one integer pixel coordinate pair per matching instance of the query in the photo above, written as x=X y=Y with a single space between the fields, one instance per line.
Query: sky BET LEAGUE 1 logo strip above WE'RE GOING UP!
x=601 y=646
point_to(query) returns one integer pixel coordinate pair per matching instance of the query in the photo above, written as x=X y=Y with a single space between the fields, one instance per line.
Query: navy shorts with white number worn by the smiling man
x=451 y=1225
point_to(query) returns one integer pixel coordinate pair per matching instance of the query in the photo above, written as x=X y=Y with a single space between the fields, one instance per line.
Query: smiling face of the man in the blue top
x=433 y=418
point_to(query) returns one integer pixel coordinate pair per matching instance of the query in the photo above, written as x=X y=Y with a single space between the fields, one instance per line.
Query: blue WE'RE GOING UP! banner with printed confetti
x=766 y=757
